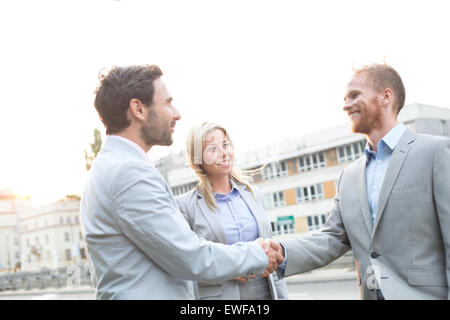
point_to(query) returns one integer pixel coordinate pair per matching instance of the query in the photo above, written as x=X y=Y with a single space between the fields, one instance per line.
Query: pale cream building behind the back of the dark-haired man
x=50 y=236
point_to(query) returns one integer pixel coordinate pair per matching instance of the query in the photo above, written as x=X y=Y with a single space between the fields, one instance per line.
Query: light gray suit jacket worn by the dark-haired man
x=139 y=245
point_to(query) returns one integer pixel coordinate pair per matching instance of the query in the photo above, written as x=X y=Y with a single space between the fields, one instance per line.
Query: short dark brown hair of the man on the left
x=118 y=87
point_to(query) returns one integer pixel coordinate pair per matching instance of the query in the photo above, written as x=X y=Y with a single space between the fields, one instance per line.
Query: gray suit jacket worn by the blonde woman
x=206 y=224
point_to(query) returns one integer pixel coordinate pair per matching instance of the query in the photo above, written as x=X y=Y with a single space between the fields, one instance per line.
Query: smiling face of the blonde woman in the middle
x=218 y=154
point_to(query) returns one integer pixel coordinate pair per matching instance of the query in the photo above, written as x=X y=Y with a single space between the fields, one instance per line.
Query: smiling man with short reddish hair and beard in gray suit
x=392 y=206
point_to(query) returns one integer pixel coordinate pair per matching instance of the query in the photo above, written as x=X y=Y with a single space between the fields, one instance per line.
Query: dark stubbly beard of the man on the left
x=156 y=131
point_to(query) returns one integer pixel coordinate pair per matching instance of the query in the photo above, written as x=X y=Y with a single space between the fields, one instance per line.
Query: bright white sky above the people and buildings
x=265 y=70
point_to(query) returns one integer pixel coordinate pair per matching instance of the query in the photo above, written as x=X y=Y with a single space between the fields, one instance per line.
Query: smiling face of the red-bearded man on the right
x=361 y=102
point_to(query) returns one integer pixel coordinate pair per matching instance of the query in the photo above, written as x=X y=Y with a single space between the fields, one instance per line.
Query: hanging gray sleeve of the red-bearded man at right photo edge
x=441 y=191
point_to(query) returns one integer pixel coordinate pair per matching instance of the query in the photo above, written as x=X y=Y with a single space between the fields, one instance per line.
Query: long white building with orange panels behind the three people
x=299 y=179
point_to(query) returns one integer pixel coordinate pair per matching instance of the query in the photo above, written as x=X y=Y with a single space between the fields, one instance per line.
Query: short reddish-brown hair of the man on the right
x=384 y=76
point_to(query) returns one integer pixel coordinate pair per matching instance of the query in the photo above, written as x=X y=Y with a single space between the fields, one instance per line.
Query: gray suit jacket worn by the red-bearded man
x=406 y=253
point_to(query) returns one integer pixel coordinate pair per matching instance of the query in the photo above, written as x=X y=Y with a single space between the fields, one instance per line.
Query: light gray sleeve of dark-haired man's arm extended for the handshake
x=148 y=216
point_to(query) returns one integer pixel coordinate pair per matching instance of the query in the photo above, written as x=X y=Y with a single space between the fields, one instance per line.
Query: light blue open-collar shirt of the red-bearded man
x=377 y=164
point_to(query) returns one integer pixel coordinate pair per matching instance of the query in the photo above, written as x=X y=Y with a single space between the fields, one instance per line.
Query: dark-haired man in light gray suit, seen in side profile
x=139 y=245
